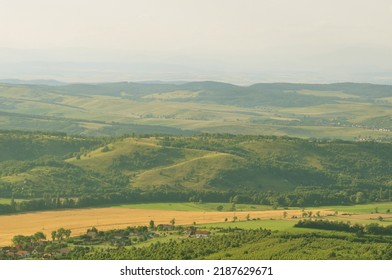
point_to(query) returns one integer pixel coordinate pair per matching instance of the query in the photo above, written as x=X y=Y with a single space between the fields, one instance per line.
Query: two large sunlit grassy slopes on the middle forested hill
x=192 y=168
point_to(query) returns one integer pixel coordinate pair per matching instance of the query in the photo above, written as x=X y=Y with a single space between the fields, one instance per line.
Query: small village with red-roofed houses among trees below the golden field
x=62 y=245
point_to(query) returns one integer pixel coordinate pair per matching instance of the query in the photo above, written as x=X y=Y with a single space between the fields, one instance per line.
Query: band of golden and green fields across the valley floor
x=79 y=220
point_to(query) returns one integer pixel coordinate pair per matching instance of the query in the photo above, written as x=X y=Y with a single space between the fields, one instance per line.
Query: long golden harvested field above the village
x=79 y=220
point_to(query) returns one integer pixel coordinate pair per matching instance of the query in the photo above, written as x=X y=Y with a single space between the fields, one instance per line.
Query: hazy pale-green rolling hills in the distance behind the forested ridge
x=347 y=111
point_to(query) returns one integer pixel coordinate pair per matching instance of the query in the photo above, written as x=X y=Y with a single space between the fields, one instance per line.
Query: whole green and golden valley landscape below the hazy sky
x=199 y=170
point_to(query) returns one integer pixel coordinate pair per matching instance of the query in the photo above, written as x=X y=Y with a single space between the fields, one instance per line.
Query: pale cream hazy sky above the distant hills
x=238 y=41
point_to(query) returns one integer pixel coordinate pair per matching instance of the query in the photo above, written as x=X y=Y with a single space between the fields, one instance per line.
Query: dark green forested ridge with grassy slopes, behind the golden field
x=53 y=170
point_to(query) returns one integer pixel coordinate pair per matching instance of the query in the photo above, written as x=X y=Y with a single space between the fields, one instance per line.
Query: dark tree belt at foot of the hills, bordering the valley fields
x=298 y=198
